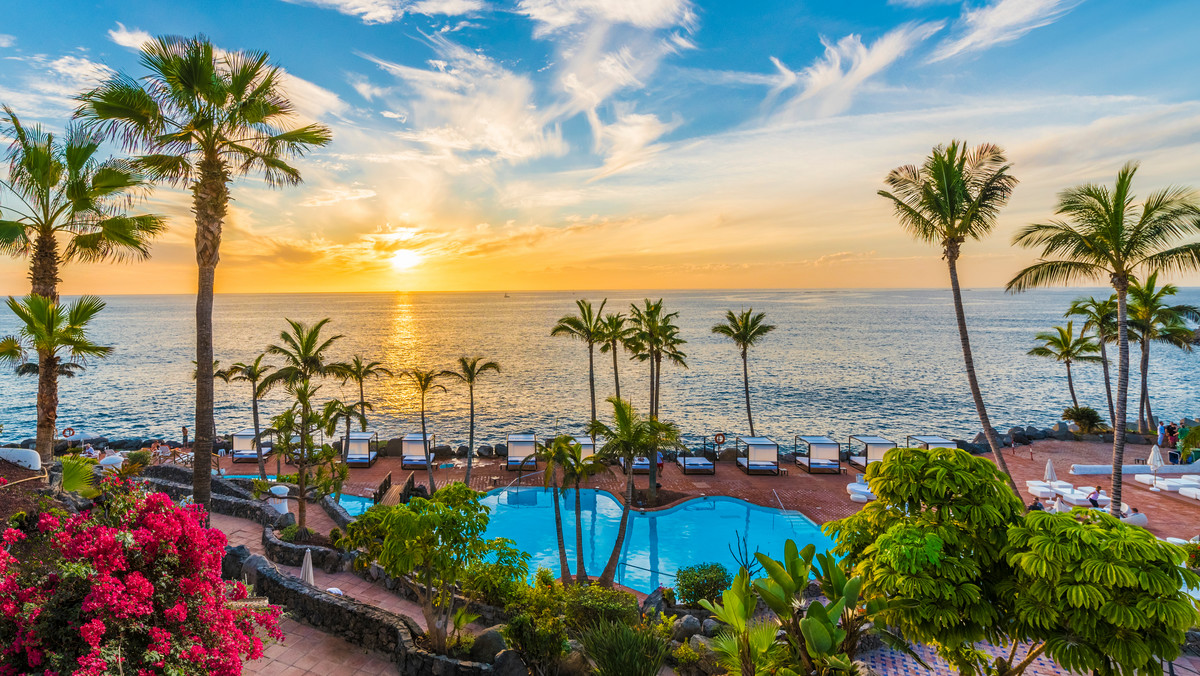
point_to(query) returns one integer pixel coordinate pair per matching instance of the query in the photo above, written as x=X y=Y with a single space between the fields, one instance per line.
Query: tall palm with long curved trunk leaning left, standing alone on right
x=955 y=196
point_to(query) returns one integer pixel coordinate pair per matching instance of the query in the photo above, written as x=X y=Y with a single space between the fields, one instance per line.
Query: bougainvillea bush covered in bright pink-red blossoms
x=133 y=587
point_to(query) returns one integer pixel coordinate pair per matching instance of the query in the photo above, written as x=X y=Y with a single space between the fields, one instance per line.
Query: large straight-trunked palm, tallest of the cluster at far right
x=1103 y=235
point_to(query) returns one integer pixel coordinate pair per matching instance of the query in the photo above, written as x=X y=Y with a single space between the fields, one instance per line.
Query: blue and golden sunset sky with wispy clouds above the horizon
x=607 y=145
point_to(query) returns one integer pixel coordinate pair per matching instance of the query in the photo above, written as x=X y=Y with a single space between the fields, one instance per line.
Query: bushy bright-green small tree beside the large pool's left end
x=429 y=547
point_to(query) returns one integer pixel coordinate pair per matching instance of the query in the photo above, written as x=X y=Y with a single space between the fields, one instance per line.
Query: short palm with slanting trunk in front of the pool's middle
x=629 y=436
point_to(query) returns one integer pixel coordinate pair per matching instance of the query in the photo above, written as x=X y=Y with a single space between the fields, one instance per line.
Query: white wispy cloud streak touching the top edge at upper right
x=1000 y=22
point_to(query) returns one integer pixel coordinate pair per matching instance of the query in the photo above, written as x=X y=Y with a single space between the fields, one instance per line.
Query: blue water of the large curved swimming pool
x=658 y=543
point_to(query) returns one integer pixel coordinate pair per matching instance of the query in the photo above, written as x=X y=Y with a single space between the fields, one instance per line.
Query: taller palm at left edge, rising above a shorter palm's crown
x=61 y=193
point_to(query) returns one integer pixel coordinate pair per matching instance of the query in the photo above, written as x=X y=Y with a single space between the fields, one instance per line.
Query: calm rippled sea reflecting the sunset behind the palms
x=842 y=362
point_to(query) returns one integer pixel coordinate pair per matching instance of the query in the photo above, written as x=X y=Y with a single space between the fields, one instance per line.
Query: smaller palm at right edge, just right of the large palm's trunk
x=1151 y=320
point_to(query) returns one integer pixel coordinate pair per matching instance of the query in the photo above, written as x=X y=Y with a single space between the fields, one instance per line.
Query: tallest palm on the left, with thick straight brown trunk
x=203 y=117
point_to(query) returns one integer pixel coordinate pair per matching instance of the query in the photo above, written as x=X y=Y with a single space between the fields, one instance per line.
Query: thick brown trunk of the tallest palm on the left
x=211 y=198
